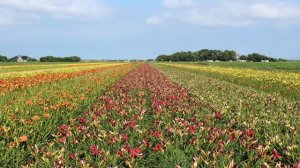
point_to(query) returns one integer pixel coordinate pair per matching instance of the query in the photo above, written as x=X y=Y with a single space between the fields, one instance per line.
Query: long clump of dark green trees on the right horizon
x=206 y=54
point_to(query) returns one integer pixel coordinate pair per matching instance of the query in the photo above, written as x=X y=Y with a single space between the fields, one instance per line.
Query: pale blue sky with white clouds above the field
x=116 y=29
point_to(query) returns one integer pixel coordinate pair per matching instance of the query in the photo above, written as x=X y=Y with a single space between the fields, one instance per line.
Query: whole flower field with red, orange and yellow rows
x=149 y=115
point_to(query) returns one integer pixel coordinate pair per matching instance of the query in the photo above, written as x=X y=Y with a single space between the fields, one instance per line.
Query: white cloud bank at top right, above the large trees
x=229 y=12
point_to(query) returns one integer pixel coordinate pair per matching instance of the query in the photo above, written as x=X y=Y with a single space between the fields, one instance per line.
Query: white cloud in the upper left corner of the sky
x=16 y=11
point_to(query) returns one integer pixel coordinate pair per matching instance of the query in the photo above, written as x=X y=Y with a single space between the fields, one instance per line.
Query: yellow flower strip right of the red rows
x=284 y=82
